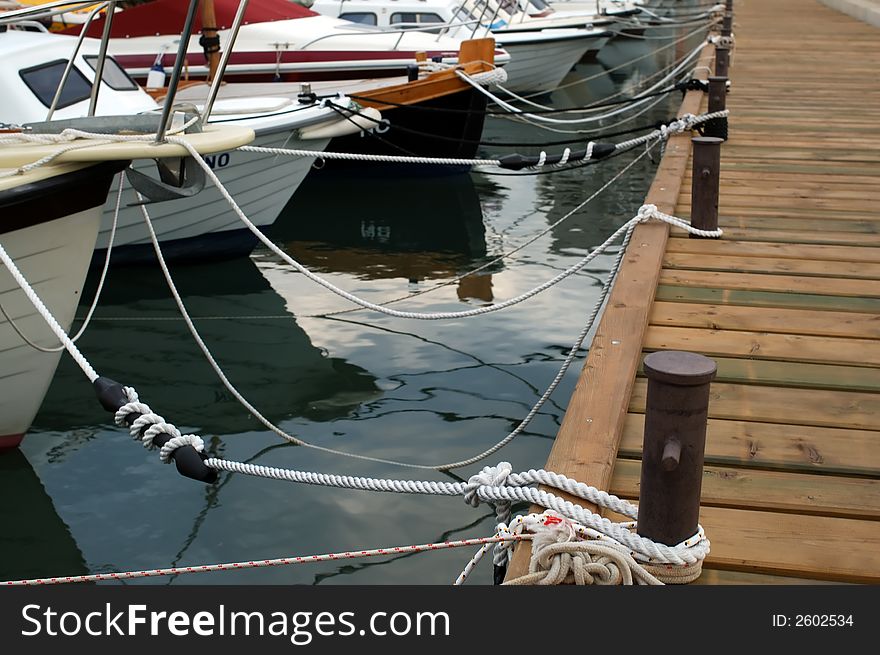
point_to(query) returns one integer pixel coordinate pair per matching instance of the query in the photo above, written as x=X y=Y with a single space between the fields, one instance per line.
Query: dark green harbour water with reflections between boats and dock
x=82 y=497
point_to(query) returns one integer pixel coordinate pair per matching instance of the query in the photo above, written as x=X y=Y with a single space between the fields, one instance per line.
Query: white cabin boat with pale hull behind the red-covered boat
x=540 y=58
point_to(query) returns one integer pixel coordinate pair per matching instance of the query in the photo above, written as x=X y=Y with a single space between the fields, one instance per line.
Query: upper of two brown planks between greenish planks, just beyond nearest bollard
x=767 y=319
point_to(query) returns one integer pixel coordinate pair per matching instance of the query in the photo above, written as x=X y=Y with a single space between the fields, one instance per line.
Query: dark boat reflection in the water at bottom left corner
x=35 y=542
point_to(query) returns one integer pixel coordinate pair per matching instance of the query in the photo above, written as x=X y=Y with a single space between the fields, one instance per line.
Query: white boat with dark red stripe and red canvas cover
x=278 y=41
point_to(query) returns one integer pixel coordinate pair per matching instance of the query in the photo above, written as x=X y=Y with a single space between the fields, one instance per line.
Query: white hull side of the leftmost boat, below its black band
x=54 y=257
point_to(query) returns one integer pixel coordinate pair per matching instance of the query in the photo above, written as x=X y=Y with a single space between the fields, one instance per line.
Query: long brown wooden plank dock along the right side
x=787 y=303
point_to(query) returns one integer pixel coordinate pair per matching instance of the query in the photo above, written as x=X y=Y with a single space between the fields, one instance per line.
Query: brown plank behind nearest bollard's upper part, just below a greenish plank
x=838 y=409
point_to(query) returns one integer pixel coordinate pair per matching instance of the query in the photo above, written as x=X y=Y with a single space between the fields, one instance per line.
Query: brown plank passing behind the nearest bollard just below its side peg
x=780 y=491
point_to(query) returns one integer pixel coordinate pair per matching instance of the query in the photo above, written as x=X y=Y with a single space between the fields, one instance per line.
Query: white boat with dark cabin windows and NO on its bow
x=202 y=226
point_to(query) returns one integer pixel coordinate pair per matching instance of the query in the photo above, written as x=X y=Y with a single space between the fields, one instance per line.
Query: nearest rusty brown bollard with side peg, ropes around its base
x=674 y=444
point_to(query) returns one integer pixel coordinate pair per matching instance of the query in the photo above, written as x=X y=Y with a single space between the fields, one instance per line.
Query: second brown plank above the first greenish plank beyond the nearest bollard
x=855 y=270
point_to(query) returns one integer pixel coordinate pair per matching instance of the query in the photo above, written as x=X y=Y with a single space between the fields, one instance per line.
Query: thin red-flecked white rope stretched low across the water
x=281 y=561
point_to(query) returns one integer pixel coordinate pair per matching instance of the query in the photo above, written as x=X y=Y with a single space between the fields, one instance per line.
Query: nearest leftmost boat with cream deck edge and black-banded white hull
x=53 y=188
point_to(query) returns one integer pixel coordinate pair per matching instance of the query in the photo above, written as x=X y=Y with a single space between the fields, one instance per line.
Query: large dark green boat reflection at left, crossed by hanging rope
x=258 y=344
